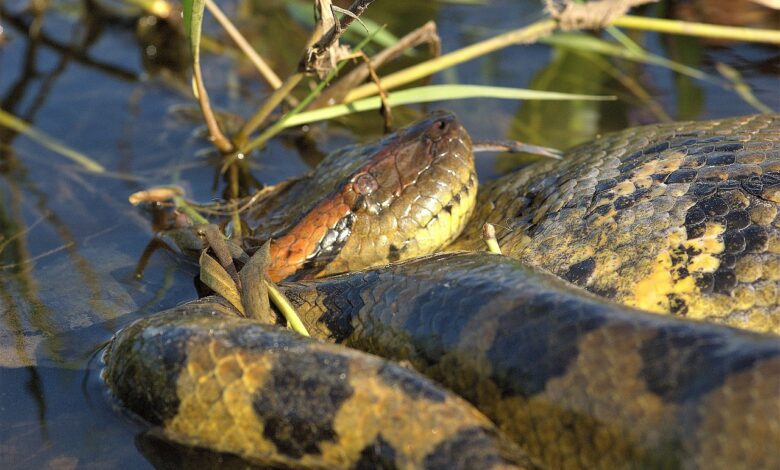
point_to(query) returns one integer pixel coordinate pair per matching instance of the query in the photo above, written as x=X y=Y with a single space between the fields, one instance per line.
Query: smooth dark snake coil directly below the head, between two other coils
x=577 y=381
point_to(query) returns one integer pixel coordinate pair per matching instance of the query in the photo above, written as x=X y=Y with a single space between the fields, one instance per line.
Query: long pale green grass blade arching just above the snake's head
x=434 y=93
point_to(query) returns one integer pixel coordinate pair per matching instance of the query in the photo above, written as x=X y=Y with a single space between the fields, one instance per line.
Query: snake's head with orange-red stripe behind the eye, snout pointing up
x=408 y=193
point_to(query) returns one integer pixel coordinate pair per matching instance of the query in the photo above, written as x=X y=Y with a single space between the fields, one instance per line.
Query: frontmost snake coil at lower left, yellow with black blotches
x=212 y=379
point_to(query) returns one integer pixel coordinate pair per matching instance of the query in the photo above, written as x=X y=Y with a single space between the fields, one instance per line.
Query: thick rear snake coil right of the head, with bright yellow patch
x=679 y=217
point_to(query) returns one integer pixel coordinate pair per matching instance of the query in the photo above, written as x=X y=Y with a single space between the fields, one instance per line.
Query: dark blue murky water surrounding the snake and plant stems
x=106 y=82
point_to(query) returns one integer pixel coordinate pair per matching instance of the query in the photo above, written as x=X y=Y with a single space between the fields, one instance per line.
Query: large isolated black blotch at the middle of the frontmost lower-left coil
x=300 y=399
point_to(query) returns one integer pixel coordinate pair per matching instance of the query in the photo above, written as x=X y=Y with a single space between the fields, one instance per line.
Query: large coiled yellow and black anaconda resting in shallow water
x=582 y=346
